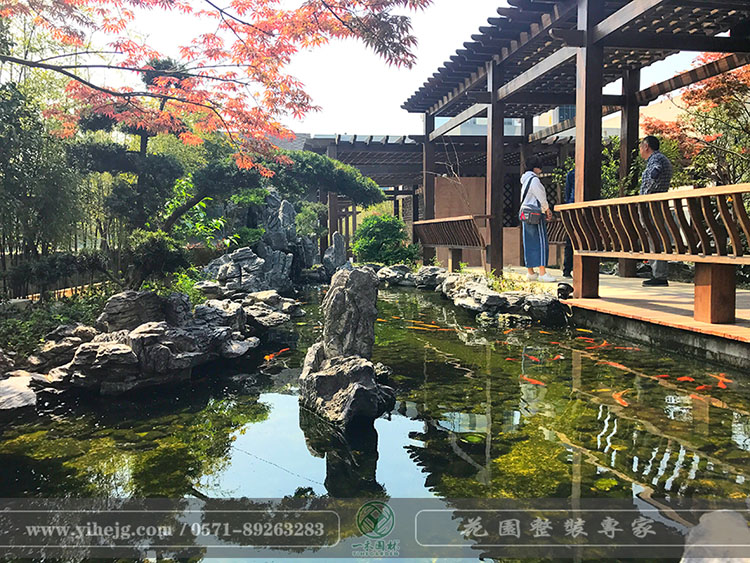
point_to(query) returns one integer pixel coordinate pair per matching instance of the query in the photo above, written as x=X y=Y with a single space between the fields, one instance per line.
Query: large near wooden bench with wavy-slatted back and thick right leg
x=708 y=226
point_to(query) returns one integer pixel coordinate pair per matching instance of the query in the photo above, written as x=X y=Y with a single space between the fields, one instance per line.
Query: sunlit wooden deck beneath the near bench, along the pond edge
x=666 y=306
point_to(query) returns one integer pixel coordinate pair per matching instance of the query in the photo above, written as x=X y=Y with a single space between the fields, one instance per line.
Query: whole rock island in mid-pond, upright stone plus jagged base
x=338 y=381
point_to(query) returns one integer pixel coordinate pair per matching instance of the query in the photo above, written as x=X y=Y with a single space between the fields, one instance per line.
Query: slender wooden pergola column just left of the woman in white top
x=495 y=185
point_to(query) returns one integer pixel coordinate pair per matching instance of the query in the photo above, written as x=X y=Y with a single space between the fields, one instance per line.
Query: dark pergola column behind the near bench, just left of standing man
x=629 y=135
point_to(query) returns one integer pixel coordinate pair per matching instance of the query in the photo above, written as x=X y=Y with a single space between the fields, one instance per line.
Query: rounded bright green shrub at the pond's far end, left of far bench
x=383 y=239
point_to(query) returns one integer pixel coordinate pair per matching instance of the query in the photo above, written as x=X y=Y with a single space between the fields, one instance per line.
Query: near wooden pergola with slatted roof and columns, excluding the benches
x=540 y=54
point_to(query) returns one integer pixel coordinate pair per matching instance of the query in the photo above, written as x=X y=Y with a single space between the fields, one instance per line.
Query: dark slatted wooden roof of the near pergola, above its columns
x=520 y=38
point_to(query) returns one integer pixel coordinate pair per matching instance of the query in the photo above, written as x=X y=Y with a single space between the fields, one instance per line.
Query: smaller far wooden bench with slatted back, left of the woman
x=453 y=233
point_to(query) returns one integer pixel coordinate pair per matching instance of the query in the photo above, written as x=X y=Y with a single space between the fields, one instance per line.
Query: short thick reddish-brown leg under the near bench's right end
x=715 y=293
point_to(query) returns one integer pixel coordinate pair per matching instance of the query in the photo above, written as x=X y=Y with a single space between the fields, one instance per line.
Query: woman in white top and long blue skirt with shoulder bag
x=535 y=245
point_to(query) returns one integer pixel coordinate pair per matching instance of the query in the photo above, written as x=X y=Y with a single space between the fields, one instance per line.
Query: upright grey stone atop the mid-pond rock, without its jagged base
x=349 y=313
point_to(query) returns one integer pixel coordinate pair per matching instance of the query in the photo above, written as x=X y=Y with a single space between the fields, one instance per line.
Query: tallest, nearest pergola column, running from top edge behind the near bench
x=589 y=70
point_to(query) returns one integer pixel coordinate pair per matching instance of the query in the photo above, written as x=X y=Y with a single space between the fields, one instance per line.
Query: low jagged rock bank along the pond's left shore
x=142 y=339
